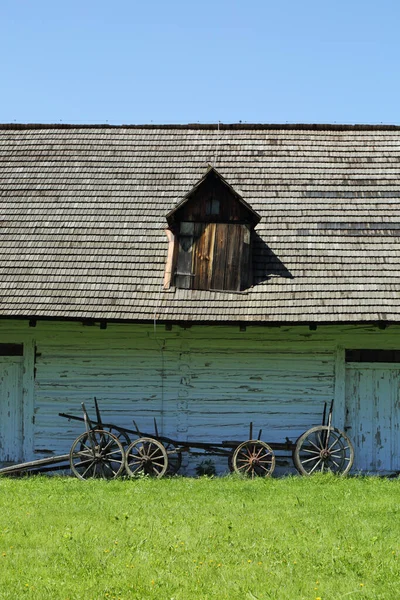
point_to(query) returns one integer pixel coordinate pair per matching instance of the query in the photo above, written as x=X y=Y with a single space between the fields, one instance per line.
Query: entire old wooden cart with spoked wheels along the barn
x=106 y=450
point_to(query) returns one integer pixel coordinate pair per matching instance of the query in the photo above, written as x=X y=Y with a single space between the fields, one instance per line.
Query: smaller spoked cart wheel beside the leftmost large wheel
x=146 y=456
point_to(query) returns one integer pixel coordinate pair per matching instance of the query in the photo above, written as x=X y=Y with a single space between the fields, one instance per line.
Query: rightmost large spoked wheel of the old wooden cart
x=323 y=449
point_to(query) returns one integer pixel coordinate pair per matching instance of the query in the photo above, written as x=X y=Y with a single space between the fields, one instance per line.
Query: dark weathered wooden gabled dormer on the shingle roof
x=212 y=227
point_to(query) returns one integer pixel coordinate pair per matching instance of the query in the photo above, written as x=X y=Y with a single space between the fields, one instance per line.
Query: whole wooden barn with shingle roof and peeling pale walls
x=204 y=275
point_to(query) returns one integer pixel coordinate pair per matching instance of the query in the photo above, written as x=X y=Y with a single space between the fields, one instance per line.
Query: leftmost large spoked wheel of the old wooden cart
x=97 y=453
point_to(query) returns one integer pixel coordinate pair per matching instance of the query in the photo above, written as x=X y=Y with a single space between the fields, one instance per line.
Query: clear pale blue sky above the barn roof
x=200 y=61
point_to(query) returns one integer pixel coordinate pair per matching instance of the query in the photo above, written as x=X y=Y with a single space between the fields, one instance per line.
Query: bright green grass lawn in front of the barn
x=183 y=539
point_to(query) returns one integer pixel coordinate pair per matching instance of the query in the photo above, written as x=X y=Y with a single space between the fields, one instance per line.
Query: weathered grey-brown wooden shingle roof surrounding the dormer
x=83 y=213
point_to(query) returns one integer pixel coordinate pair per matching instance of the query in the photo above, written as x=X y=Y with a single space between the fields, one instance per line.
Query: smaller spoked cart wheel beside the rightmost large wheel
x=254 y=459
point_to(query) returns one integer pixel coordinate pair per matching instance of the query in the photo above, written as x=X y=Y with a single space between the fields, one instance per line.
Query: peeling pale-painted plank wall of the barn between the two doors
x=200 y=383
